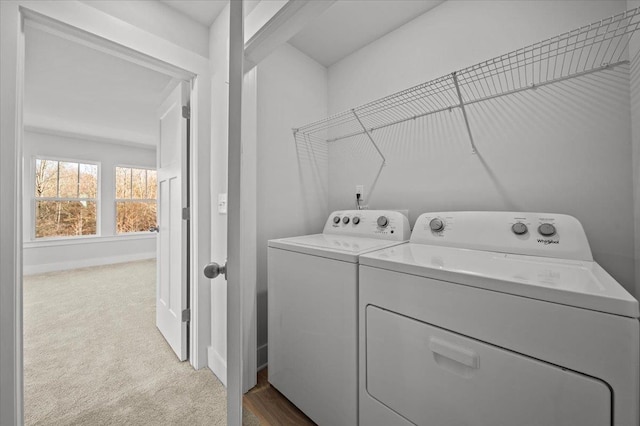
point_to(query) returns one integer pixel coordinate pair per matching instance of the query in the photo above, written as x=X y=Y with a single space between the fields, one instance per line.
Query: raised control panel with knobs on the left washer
x=381 y=224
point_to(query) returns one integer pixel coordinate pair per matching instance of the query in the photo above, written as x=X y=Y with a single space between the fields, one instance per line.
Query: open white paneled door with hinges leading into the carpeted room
x=171 y=292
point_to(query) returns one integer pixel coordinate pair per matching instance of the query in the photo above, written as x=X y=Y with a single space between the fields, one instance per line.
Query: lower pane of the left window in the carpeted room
x=65 y=218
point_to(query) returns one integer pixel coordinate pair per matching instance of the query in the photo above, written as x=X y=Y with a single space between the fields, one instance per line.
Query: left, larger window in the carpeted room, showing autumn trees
x=65 y=198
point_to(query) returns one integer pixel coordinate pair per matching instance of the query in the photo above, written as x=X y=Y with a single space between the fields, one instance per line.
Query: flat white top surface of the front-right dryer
x=582 y=284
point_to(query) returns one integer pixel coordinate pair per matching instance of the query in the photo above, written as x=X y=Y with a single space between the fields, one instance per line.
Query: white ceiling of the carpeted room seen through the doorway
x=73 y=88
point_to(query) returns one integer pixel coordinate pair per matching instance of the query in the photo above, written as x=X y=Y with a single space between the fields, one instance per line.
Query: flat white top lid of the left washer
x=339 y=247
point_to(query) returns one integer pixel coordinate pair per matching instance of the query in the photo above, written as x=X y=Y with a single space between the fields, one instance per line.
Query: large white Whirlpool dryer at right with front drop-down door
x=495 y=319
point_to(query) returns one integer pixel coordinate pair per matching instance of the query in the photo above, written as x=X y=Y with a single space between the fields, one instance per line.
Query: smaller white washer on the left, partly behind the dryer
x=313 y=311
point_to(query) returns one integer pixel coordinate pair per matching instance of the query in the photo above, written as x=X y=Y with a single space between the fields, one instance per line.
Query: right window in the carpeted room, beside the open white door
x=135 y=199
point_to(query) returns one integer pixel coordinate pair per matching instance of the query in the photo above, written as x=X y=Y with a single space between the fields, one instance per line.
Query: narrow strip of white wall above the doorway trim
x=159 y=19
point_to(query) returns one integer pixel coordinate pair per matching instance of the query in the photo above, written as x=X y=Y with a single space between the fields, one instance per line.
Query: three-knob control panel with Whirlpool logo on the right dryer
x=535 y=234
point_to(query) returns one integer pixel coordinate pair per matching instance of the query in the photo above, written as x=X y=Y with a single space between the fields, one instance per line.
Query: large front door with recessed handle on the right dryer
x=431 y=376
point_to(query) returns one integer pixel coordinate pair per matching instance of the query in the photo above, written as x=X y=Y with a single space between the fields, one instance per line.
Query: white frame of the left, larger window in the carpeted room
x=35 y=199
